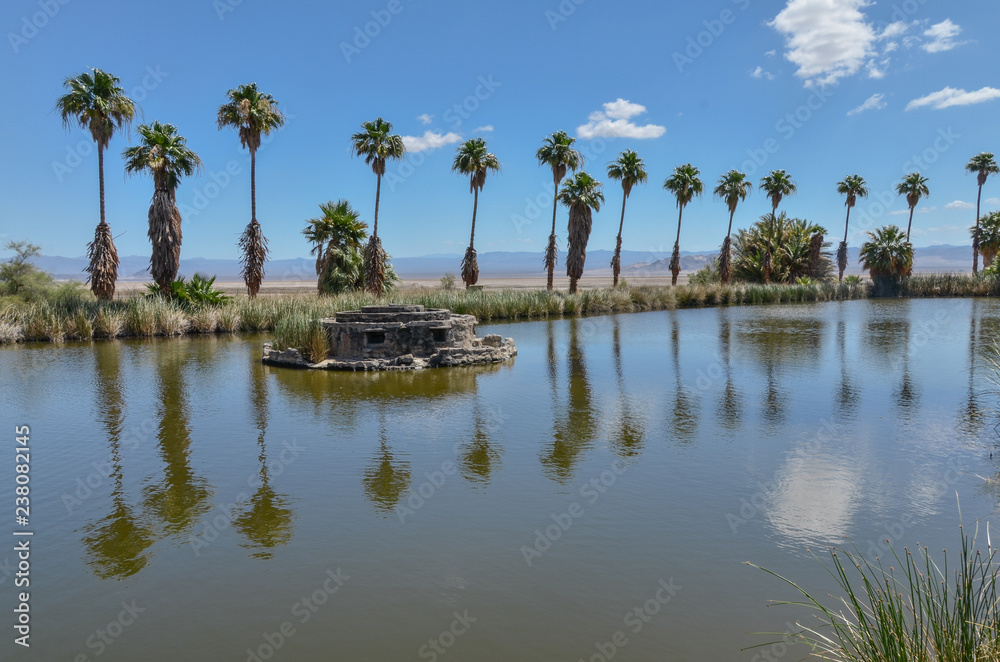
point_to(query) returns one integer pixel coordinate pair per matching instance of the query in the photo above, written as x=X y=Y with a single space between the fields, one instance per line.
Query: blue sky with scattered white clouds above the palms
x=820 y=88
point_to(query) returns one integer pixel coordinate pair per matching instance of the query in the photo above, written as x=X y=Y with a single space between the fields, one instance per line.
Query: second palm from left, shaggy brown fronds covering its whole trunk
x=164 y=155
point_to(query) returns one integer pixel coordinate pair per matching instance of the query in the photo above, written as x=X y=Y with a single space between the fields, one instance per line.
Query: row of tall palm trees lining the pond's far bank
x=96 y=101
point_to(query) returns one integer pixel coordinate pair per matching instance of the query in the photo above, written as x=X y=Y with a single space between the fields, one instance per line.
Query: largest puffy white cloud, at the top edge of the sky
x=827 y=39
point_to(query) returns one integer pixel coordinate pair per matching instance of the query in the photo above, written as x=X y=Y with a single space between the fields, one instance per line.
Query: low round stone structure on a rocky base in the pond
x=400 y=337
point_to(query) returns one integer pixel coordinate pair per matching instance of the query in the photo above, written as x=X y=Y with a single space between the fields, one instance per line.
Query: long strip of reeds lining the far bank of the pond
x=76 y=315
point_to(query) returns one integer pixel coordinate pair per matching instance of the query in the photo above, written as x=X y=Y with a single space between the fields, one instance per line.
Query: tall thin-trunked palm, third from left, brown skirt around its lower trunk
x=252 y=113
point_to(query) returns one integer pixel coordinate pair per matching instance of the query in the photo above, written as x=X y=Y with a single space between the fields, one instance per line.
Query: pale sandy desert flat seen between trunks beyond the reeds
x=278 y=287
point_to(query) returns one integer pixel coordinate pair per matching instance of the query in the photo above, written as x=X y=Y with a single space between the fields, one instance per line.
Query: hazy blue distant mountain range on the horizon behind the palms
x=934 y=259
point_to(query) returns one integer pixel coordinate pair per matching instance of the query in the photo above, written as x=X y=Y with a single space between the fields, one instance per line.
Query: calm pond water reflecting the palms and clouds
x=597 y=495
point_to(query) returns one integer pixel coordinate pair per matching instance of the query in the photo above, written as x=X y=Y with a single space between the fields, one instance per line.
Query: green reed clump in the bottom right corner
x=915 y=610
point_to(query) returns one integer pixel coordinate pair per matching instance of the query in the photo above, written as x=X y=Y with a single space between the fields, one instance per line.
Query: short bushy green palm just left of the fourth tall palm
x=337 y=237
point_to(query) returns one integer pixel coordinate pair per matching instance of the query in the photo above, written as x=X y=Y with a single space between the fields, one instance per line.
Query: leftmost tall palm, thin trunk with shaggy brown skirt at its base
x=98 y=103
